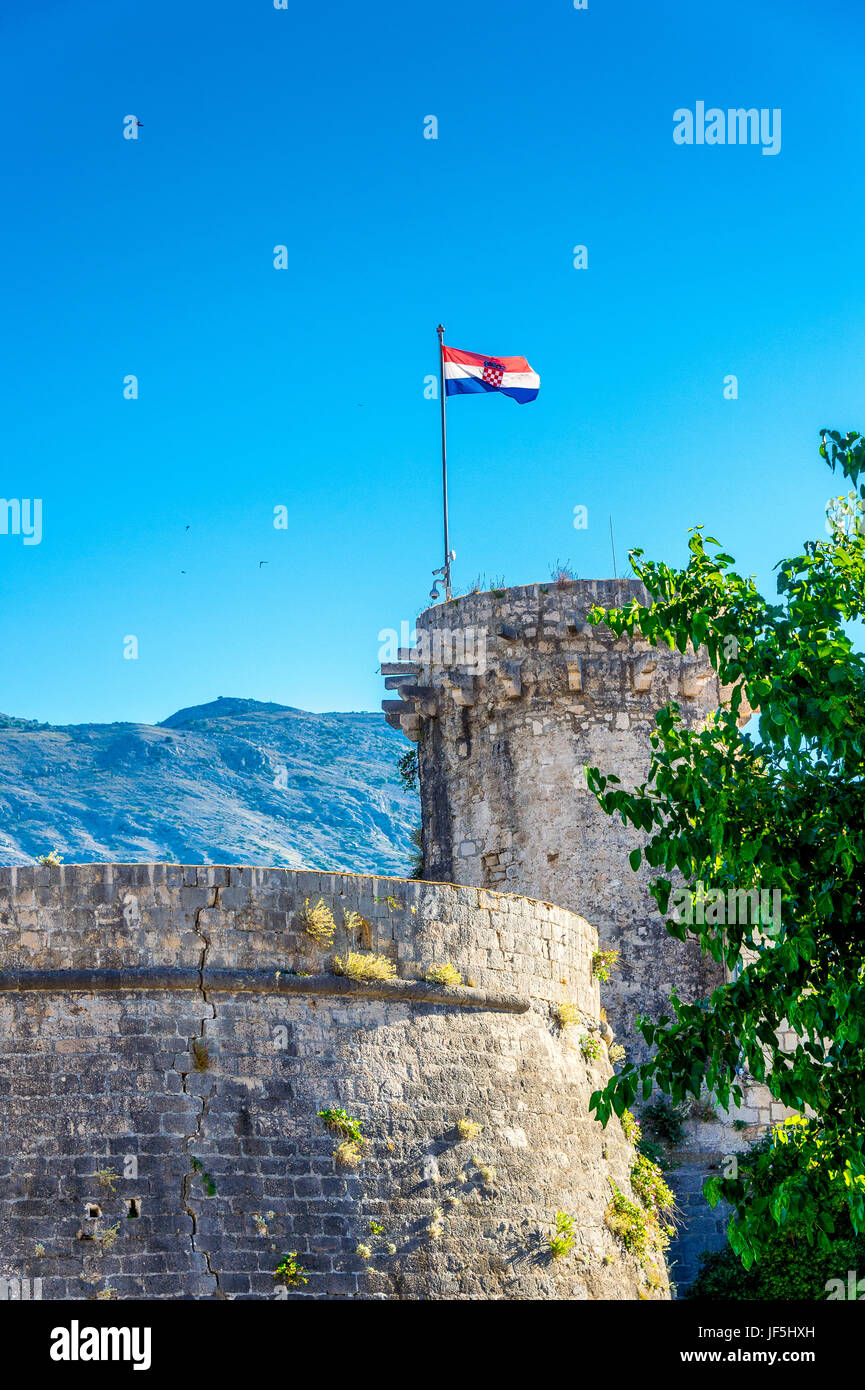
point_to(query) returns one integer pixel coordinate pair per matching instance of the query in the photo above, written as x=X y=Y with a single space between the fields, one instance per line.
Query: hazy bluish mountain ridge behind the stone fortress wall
x=227 y=782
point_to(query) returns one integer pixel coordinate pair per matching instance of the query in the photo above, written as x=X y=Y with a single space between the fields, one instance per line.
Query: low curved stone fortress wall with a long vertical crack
x=170 y=1033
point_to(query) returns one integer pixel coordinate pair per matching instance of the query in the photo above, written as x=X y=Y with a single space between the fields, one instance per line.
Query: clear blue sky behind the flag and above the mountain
x=305 y=387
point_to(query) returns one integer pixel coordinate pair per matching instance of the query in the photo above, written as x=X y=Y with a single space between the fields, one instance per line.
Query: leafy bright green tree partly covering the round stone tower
x=785 y=811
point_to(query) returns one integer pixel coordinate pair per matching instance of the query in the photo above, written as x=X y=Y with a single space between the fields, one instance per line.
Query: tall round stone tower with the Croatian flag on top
x=510 y=694
